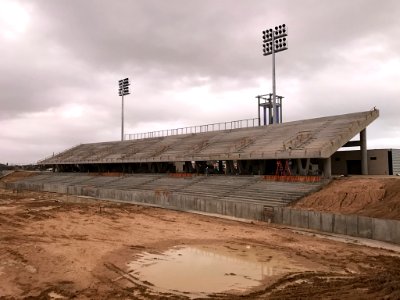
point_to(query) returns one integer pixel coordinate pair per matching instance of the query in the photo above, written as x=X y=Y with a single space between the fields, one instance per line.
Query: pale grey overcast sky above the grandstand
x=190 y=63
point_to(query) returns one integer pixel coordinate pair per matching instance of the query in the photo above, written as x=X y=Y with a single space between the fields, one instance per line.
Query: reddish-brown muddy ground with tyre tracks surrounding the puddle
x=52 y=246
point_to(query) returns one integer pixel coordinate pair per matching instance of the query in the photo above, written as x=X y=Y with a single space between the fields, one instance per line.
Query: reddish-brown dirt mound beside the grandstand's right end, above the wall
x=377 y=197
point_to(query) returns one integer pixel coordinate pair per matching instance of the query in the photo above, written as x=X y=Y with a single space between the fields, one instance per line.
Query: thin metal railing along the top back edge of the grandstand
x=246 y=123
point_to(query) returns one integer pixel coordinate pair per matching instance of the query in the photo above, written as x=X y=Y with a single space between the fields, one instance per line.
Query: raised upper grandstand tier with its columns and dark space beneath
x=293 y=148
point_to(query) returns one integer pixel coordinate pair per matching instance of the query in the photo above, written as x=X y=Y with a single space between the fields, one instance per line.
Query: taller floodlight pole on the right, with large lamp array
x=274 y=40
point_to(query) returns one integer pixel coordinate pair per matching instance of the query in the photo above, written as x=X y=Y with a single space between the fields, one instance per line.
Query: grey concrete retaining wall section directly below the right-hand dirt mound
x=358 y=226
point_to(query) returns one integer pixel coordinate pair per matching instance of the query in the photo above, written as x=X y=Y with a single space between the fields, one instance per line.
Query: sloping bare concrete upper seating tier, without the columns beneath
x=311 y=138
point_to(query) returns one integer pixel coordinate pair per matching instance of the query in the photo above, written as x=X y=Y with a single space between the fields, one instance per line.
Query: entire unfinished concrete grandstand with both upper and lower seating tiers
x=243 y=172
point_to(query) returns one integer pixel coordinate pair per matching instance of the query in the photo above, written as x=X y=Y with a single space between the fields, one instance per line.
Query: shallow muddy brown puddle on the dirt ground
x=209 y=270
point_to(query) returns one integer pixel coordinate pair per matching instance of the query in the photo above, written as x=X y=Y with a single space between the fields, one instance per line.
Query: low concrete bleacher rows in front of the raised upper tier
x=253 y=189
